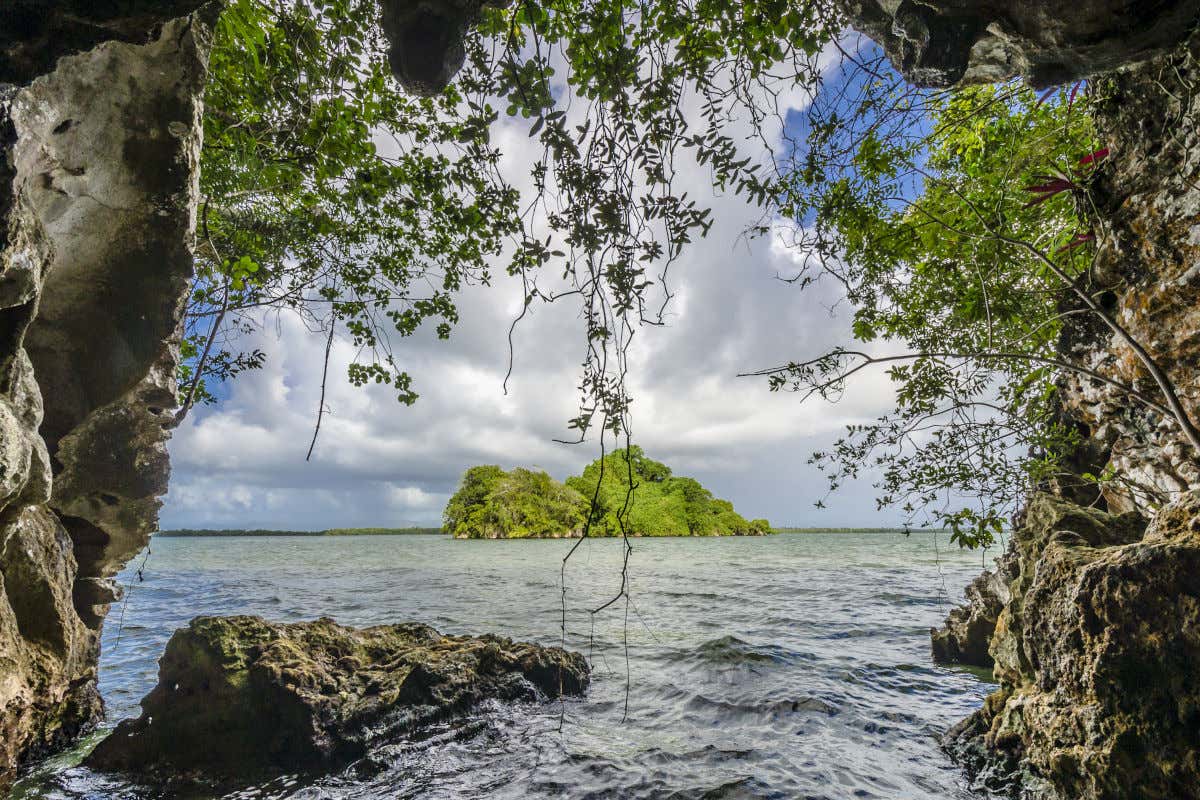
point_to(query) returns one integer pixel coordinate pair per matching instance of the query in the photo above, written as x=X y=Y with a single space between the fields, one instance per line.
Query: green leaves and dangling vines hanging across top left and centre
x=331 y=194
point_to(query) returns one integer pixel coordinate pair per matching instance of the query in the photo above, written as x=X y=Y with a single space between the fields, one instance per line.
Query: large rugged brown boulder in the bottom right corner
x=1097 y=653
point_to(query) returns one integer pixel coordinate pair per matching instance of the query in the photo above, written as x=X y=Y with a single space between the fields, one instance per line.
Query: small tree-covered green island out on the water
x=530 y=504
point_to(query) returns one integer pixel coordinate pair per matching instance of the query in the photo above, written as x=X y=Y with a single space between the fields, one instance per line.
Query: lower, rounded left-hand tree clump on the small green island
x=520 y=504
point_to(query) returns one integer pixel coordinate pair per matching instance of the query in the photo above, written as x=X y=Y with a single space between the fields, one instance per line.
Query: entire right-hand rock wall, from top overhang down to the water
x=1096 y=636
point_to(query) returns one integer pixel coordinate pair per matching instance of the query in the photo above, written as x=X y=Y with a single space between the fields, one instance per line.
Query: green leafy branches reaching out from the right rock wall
x=929 y=222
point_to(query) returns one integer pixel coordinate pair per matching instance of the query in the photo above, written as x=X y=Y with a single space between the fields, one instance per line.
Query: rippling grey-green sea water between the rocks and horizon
x=793 y=666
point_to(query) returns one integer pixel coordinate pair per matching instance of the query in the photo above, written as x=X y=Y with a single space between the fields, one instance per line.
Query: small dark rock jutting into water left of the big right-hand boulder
x=968 y=631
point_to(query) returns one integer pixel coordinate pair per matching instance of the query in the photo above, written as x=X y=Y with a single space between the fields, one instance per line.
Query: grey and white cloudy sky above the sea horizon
x=242 y=464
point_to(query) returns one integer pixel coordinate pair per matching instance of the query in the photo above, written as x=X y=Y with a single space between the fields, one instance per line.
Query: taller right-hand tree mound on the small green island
x=640 y=497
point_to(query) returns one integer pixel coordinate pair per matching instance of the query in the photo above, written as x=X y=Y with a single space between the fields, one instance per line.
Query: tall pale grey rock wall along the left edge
x=100 y=134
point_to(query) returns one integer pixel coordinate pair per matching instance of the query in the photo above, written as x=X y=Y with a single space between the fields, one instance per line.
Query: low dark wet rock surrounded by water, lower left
x=239 y=697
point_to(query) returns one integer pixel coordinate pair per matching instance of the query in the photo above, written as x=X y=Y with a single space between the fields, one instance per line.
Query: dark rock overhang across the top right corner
x=945 y=43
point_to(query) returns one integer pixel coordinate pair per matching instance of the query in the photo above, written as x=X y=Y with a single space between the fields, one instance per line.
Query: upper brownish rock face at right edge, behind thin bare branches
x=1145 y=210
